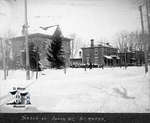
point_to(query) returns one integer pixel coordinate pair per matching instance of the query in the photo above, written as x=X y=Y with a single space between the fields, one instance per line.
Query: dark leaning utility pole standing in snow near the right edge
x=145 y=49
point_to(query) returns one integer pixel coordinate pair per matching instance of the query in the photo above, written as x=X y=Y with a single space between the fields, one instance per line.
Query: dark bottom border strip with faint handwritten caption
x=74 y=117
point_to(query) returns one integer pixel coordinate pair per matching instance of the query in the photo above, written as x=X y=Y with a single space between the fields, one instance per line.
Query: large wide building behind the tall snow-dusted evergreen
x=42 y=41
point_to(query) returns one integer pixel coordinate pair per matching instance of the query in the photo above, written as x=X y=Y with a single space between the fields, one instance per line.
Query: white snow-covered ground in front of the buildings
x=97 y=90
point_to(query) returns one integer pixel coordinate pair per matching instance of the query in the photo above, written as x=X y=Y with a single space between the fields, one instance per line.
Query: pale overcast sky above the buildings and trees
x=87 y=18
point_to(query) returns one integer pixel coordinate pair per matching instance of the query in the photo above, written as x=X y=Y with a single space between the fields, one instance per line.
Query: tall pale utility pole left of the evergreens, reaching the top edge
x=26 y=40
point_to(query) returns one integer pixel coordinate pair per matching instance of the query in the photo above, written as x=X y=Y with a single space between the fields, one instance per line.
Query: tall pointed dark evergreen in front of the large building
x=55 y=54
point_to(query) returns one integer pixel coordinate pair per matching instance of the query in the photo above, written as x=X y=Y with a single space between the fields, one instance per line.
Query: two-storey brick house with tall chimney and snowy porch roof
x=102 y=54
